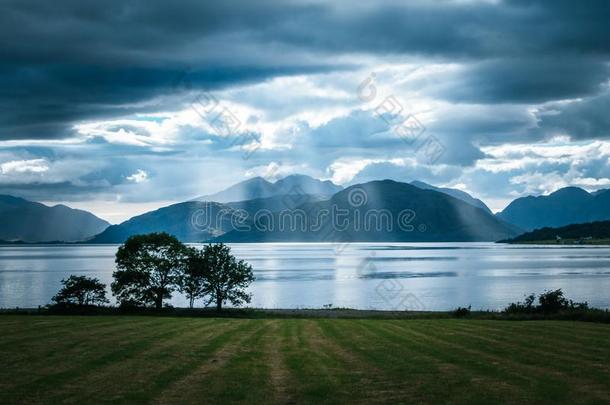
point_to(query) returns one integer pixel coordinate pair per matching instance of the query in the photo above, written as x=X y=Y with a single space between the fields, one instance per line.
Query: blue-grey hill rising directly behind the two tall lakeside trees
x=193 y=221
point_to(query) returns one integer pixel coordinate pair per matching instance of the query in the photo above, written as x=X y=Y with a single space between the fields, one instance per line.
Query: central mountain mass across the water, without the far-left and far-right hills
x=443 y=216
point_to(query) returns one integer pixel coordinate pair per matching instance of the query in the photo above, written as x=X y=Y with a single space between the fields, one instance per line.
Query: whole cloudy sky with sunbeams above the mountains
x=119 y=107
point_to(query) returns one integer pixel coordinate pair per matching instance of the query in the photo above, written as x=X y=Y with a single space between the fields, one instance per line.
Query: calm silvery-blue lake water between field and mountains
x=431 y=276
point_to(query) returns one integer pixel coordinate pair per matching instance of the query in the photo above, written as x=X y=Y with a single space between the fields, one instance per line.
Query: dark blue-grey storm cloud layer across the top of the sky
x=61 y=62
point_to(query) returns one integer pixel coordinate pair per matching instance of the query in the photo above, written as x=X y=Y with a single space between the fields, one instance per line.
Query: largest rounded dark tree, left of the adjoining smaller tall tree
x=148 y=269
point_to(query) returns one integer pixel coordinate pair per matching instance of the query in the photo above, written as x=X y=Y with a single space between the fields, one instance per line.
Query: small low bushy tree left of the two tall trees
x=81 y=291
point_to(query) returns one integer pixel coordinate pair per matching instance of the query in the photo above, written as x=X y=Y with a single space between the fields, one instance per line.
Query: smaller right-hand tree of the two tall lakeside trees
x=226 y=278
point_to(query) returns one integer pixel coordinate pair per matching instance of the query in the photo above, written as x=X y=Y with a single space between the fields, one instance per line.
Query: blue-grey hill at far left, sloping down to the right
x=28 y=221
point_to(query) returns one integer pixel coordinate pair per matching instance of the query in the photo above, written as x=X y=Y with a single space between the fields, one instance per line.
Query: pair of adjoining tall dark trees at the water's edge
x=151 y=267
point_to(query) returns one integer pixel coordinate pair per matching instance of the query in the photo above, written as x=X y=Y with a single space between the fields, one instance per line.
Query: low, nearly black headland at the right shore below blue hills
x=595 y=230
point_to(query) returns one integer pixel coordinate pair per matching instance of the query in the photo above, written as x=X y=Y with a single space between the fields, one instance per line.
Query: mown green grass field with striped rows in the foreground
x=75 y=359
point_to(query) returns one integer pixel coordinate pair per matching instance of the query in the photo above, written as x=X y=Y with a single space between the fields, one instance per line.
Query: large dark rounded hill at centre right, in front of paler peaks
x=438 y=217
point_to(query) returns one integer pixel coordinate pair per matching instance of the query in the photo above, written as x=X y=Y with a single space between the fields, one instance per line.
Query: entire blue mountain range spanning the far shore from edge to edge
x=439 y=214
